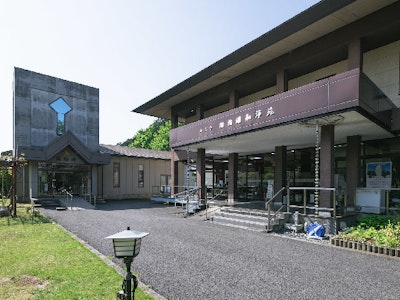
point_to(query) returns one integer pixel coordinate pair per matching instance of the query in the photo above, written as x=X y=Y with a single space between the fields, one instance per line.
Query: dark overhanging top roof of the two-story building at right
x=315 y=22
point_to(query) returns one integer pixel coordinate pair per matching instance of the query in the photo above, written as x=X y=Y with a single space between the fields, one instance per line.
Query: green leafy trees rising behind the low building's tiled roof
x=155 y=137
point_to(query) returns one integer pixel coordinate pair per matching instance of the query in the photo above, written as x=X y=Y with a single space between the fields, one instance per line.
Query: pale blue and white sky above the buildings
x=131 y=50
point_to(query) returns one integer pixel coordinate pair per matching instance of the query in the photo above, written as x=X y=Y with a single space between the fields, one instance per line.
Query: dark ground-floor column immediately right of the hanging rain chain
x=326 y=164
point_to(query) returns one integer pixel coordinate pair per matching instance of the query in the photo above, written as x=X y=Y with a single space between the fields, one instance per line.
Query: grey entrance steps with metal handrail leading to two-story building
x=249 y=219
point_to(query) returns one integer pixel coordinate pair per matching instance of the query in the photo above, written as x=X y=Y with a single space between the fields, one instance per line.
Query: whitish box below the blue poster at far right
x=370 y=200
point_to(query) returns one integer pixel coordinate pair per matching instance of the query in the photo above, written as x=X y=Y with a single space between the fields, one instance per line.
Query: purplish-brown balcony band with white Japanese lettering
x=327 y=96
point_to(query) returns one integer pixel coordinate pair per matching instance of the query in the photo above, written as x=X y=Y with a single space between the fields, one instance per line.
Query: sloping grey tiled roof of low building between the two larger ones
x=134 y=152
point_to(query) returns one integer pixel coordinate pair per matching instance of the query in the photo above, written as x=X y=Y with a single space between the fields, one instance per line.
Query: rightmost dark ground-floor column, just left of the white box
x=353 y=164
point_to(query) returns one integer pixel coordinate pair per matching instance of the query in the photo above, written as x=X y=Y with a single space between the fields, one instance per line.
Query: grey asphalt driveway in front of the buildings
x=188 y=258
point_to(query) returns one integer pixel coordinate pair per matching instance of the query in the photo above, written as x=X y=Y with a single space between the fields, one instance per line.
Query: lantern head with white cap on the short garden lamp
x=127 y=243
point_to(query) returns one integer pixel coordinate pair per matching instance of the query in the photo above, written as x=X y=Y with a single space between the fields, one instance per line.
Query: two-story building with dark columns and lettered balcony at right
x=313 y=102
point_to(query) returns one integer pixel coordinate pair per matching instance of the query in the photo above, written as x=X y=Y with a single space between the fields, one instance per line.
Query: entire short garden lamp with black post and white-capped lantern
x=127 y=246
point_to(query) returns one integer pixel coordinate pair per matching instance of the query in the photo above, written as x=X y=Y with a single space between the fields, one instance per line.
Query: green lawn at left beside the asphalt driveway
x=39 y=260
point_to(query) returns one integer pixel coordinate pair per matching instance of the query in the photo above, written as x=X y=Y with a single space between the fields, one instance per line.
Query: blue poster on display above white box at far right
x=379 y=175
